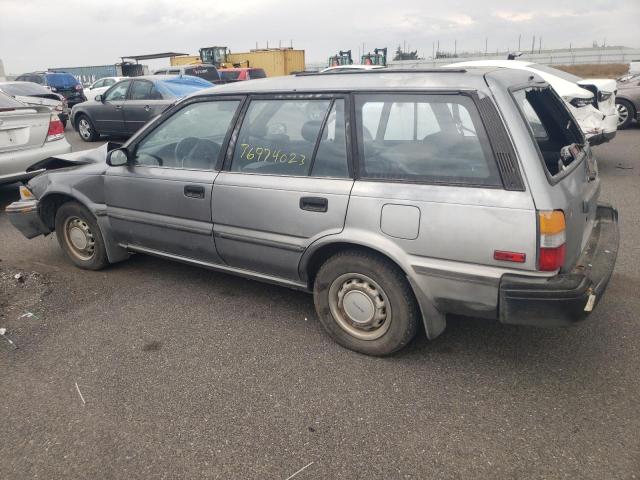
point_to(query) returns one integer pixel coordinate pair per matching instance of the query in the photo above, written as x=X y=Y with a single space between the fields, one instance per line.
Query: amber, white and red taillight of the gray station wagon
x=552 y=228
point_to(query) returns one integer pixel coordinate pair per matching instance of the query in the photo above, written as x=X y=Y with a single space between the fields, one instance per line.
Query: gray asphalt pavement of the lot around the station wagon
x=153 y=369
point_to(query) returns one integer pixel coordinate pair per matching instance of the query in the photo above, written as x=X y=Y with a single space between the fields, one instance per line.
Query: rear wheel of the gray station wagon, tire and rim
x=374 y=282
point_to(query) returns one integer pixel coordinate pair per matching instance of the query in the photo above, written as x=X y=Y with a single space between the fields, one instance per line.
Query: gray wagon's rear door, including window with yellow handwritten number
x=286 y=183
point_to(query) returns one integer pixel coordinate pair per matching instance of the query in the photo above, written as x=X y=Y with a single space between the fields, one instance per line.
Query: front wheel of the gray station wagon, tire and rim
x=72 y=222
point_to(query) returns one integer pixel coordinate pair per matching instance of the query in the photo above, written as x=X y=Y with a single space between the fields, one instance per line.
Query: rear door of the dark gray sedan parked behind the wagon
x=144 y=102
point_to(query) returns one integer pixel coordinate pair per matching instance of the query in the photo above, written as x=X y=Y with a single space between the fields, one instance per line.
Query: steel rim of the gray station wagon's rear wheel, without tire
x=360 y=306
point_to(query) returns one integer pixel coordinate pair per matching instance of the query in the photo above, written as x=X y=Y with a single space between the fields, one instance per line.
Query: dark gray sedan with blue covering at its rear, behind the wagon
x=131 y=103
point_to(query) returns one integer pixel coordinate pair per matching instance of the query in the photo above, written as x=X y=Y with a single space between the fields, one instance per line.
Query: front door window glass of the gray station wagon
x=191 y=138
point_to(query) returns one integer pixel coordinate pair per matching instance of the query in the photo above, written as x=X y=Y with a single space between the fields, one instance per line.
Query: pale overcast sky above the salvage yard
x=36 y=34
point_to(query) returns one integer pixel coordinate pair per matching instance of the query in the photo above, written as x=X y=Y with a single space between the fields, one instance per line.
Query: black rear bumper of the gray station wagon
x=569 y=297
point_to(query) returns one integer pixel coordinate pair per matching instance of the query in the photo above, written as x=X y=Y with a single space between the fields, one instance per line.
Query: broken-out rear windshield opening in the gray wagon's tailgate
x=555 y=131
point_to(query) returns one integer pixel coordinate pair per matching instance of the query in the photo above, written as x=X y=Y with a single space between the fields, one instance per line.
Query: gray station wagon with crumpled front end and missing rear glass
x=396 y=197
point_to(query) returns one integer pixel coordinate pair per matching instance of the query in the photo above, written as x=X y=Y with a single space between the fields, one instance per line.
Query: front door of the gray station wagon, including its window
x=161 y=201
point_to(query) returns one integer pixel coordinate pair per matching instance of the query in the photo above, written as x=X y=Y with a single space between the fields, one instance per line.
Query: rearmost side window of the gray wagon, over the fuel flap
x=424 y=138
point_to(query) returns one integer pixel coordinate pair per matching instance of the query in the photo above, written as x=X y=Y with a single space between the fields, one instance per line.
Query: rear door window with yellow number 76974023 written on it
x=279 y=137
